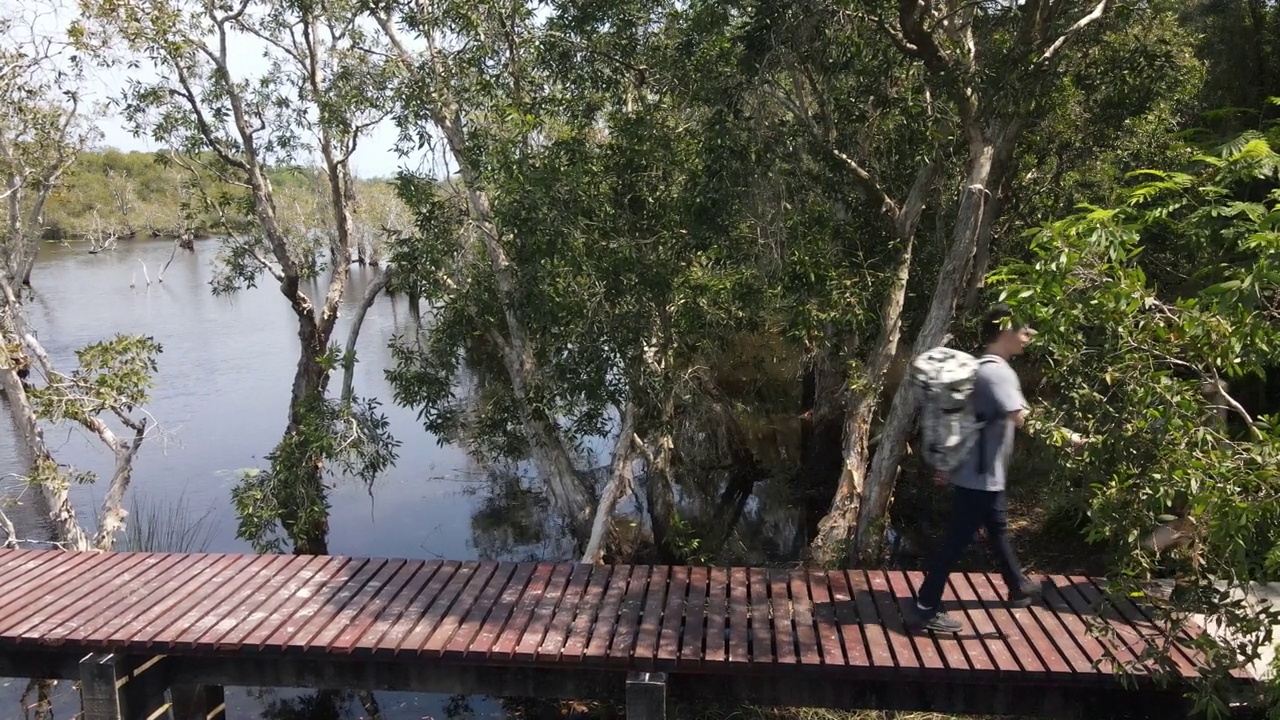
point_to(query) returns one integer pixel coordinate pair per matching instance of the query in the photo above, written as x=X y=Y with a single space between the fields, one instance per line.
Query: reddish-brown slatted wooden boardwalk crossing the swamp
x=309 y=621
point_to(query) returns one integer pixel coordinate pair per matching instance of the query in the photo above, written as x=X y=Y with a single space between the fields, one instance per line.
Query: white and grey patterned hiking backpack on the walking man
x=949 y=425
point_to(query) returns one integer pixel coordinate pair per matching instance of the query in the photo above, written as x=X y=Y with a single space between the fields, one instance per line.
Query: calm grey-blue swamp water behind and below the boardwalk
x=222 y=397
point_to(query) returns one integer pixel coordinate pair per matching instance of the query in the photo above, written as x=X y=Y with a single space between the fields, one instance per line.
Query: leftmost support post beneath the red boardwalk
x=120 y=689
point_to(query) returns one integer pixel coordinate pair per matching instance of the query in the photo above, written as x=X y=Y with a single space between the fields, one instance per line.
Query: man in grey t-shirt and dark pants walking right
x=979 y=502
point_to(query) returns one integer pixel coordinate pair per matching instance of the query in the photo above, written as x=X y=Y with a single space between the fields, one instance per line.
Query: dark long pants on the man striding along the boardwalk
x=972 y=511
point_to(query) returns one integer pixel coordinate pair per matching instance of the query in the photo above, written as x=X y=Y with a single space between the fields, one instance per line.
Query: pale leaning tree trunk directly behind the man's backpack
x=985 y=168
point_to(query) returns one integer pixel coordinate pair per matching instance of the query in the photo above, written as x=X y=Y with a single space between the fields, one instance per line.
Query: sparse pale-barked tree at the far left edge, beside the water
x=43 y=133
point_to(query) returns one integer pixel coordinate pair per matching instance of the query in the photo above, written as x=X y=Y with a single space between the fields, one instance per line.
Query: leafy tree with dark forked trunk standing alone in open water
x=318 y=97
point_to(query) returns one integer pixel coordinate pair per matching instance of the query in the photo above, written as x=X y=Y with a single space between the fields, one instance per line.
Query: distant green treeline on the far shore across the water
x=115 y=194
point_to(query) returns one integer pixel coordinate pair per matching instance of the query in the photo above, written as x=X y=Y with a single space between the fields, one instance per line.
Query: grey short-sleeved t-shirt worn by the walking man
x=996 y=394
